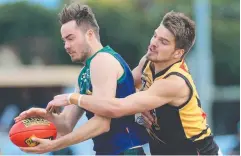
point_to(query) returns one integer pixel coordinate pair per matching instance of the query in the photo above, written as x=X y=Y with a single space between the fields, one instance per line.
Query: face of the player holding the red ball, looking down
x=75 y=42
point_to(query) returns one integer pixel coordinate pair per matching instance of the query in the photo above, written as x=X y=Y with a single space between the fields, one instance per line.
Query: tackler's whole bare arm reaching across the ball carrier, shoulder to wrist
x=172 y=90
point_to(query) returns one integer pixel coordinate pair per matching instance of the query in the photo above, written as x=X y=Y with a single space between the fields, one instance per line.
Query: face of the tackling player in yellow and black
x=162 y=45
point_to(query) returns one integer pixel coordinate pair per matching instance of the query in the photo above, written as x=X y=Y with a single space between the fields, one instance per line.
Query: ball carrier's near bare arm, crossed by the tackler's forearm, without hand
x=104 y=81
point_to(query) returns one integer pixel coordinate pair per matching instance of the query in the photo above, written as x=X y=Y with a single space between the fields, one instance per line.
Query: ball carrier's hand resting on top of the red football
x=33 y=112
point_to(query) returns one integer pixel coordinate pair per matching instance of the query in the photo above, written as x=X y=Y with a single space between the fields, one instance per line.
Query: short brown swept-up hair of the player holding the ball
x=82 y=14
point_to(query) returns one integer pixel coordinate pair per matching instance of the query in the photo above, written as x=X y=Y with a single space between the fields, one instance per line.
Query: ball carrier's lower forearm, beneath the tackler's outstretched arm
x=91 y=129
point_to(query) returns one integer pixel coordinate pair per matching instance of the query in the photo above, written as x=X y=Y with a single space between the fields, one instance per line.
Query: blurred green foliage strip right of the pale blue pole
x=226 y=41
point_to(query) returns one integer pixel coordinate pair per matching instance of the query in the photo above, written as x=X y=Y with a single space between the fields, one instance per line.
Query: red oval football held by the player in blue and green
x=22 y=131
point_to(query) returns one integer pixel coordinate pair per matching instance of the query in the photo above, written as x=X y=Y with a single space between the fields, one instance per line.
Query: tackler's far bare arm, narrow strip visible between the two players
x=137 y=72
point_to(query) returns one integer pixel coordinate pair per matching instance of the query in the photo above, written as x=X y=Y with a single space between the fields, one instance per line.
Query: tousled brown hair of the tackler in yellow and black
x=182 y=27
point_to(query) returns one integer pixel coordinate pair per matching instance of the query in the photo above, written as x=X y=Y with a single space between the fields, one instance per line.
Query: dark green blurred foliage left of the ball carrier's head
x=33 y=30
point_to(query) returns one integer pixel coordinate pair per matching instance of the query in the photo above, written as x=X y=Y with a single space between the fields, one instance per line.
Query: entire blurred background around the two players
x=34 y=66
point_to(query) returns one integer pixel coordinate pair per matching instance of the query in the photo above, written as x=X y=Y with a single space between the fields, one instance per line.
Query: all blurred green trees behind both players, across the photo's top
x=126 y=25
